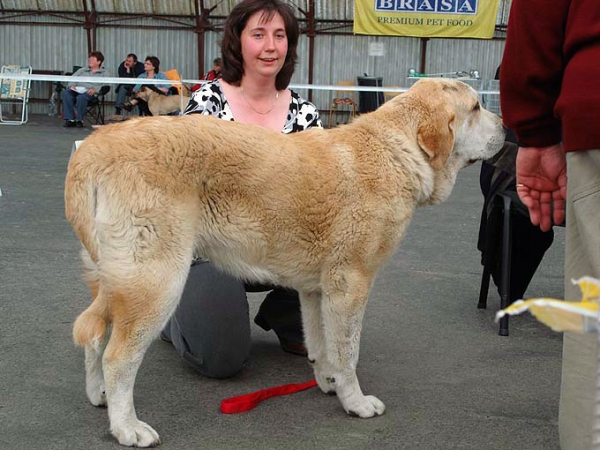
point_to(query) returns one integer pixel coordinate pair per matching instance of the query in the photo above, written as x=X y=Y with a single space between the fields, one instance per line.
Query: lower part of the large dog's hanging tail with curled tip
x=91 y=325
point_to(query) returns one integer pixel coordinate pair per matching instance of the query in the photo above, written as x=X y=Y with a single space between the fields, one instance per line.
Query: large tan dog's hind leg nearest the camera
x=139 y=312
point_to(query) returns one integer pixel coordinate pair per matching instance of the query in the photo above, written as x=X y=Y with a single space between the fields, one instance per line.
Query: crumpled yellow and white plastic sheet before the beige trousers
x=560 y=315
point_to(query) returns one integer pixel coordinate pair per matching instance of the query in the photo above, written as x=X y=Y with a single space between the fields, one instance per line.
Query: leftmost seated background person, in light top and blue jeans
x=76 y=96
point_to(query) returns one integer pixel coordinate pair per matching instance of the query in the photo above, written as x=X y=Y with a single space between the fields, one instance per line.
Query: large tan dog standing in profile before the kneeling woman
x=319 y=211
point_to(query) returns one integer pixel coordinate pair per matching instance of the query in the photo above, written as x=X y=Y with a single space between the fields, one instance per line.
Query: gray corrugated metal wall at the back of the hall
x=337 y=57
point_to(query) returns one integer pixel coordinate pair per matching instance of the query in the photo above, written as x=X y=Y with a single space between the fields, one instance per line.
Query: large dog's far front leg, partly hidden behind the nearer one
x=314 y=337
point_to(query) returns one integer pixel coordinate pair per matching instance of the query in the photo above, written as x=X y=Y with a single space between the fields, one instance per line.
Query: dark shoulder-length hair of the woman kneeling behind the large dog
x=231 y=46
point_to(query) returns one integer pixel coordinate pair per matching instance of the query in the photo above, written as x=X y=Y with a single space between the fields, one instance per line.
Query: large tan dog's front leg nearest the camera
x=343 y=306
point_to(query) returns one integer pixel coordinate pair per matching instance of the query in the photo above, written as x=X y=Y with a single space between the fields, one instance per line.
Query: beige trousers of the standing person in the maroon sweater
x=582 y=257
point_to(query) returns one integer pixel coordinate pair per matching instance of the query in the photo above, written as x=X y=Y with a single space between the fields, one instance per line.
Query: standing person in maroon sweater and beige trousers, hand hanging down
x=550 y=96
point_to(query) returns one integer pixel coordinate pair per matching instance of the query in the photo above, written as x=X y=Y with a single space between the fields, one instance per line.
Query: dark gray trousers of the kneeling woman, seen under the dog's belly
x=211 y=329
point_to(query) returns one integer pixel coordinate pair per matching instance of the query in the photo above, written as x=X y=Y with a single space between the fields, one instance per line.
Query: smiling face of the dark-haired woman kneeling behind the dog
x=264 y=45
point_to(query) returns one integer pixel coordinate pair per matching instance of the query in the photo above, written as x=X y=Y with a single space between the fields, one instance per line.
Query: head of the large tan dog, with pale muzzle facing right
x=453 y=130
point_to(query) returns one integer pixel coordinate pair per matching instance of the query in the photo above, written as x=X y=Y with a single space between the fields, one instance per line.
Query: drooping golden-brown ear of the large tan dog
x=435 y=135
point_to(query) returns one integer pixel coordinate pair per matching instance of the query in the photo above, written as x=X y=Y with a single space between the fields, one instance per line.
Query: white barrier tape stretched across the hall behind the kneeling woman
x=116 y=80
